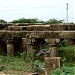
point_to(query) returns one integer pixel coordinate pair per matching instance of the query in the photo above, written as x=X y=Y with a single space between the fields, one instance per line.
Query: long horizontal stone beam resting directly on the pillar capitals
x=37 y=34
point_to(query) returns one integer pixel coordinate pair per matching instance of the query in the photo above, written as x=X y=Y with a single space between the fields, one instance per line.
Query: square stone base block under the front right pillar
x=51 y=63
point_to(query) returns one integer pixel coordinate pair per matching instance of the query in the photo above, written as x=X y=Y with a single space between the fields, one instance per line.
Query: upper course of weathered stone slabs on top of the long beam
x=52 y=27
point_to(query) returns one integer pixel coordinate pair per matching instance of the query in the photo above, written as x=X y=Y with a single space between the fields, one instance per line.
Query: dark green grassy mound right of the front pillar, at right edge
x=67 y=52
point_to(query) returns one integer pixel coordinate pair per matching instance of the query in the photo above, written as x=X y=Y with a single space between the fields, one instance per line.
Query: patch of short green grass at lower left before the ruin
x=15 y=64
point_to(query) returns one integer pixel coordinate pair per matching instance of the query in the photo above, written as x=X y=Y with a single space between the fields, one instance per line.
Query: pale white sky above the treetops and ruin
x=41 y=9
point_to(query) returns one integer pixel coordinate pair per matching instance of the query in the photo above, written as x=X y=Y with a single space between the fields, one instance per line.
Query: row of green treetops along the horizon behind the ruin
x=34 y=20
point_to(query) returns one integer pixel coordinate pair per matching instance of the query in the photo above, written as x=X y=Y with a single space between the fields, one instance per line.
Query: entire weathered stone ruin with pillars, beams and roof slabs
x=22 y=37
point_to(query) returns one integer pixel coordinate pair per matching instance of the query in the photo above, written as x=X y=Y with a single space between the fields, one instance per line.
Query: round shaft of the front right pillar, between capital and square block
x=53 y=50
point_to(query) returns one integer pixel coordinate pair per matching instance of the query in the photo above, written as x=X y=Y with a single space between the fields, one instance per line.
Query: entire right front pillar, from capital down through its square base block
x=52 y=62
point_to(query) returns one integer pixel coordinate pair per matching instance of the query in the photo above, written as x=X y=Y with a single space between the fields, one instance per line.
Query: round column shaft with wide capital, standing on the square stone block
x=53 y=46
